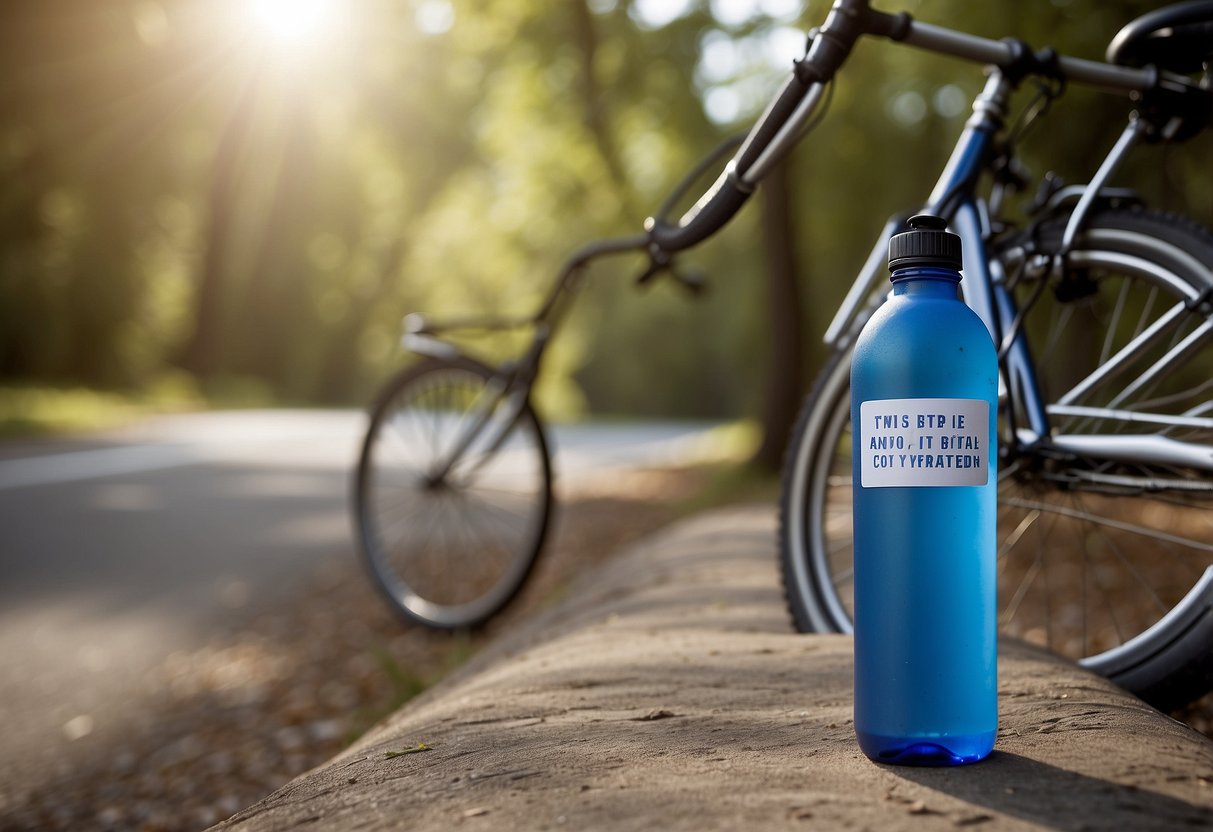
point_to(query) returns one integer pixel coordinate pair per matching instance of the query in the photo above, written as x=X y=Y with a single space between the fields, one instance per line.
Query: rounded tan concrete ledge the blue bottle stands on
x=668 y=693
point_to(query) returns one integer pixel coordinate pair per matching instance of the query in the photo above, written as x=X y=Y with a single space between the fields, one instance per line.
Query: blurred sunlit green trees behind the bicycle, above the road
x=184 y=192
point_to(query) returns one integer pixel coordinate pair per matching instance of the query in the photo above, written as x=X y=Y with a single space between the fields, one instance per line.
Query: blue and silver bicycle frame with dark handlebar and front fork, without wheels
x=954 y=198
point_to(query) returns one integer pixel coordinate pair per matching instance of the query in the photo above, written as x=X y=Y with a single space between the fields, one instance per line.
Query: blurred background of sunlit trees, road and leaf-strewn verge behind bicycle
x=215 y=204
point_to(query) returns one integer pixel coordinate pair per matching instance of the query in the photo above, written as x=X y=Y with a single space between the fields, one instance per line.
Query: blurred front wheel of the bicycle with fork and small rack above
x=453 y=493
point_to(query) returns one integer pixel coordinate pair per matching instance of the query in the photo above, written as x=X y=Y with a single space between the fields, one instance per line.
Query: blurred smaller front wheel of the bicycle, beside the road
x=451 y=542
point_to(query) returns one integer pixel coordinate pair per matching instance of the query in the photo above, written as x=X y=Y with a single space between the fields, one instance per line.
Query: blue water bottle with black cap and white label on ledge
x=925 y=403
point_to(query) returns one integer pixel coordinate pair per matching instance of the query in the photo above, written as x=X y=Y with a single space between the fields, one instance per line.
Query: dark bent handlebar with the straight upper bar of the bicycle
x=777 y=130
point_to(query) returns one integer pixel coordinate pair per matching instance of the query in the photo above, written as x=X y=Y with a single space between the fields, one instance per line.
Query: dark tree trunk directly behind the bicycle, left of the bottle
x=787 y=366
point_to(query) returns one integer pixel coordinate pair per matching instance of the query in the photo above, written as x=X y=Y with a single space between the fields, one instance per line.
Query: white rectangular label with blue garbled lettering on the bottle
x=924 y=442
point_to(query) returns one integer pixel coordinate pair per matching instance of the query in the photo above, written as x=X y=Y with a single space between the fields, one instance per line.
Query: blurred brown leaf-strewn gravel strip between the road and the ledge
x=297 y=685
